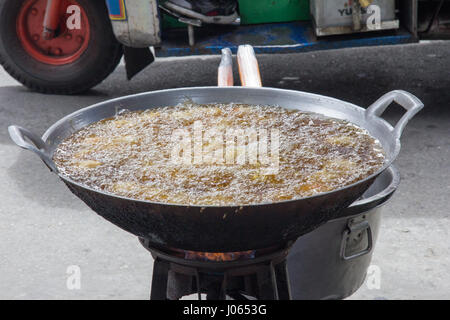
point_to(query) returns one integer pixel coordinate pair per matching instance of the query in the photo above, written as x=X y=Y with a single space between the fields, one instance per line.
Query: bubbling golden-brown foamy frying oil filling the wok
x=130 y=155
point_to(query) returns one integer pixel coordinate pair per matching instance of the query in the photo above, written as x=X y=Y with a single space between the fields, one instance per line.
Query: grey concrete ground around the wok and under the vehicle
x=45 y=230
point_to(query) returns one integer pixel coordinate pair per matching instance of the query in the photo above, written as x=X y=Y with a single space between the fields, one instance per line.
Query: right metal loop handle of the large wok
x=407 y=100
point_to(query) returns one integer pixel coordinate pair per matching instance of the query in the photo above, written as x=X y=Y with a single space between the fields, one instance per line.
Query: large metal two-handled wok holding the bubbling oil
x=216 y=228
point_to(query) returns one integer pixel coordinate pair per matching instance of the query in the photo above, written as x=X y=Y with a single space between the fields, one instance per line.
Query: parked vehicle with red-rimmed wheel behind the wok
x=69 y=46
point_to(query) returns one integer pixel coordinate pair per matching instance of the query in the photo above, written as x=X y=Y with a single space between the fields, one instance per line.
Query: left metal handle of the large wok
x=38 y=146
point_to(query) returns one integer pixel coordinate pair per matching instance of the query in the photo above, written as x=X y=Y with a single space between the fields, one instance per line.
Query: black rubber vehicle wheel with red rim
x=73 y=61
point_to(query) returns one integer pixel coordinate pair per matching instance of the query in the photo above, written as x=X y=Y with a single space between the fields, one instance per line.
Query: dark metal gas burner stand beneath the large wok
x=259 y=274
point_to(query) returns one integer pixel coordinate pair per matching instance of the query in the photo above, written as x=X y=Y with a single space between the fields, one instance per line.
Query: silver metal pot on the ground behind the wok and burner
x=331 y=261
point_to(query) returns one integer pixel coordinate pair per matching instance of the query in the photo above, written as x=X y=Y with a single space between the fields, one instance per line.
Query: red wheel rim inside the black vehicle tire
x=66 y=47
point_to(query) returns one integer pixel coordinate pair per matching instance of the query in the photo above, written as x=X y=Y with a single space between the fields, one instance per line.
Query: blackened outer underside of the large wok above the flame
x=219 y=229
